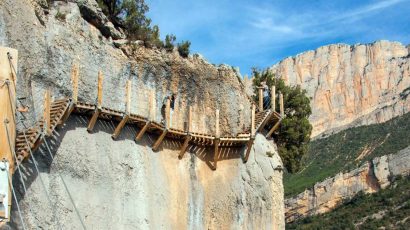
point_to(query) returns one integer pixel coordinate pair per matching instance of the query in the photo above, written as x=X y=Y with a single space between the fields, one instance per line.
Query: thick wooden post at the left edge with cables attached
x=8 y=81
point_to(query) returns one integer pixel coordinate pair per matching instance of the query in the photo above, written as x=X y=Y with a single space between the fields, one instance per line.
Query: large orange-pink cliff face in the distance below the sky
x=351 y=85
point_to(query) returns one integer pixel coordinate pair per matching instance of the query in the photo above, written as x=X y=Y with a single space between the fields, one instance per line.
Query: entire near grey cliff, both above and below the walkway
x=119 y=184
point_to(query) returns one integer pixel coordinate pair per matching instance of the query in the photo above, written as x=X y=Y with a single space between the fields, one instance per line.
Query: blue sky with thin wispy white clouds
x=251 y=33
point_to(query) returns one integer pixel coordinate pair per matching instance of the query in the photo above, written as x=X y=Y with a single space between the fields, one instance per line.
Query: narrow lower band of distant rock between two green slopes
x=369 y=178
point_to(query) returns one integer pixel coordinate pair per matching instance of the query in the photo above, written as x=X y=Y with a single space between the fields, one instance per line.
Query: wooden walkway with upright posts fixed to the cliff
x=57 y=112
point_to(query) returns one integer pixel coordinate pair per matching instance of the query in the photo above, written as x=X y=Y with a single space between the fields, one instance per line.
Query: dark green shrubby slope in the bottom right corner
x=387 y=209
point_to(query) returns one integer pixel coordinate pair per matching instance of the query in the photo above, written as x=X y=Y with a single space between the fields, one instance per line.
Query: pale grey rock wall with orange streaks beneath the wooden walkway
x=122 y=185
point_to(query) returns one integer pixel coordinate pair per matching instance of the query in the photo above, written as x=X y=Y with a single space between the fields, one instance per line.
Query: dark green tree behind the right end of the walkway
x=294 y=132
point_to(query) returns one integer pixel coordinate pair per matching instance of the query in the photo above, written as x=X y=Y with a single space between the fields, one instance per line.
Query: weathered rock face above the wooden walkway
x=47 y=52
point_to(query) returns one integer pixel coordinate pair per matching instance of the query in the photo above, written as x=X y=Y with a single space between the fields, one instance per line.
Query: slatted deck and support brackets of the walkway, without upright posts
x=61 y=109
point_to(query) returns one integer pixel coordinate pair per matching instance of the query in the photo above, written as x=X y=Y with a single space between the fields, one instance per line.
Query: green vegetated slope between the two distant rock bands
x=347 y=150
